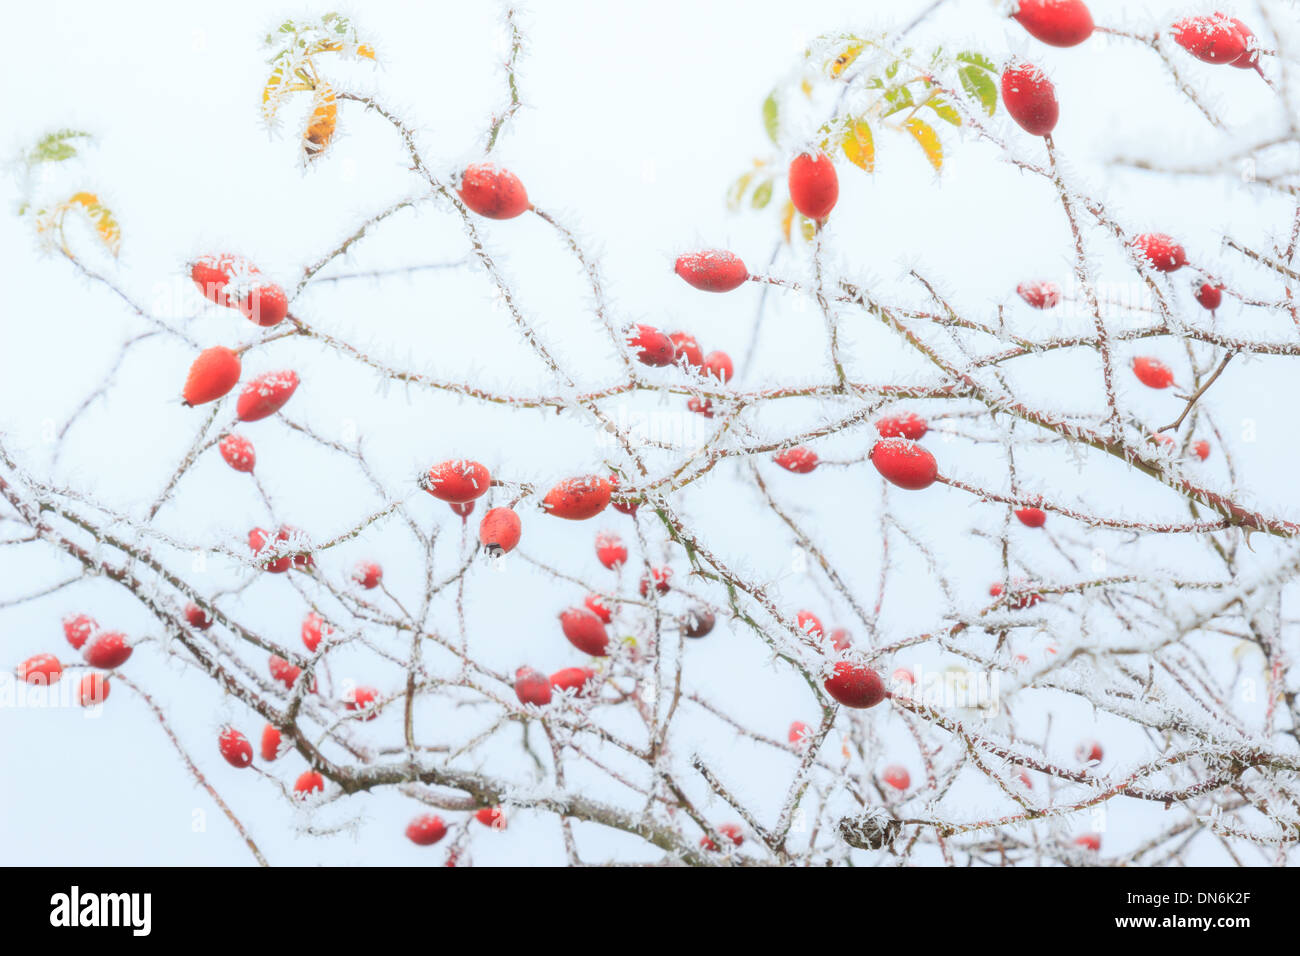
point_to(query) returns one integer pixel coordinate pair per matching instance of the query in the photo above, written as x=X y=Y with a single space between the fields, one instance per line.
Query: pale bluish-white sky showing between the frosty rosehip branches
x=636 y=119
